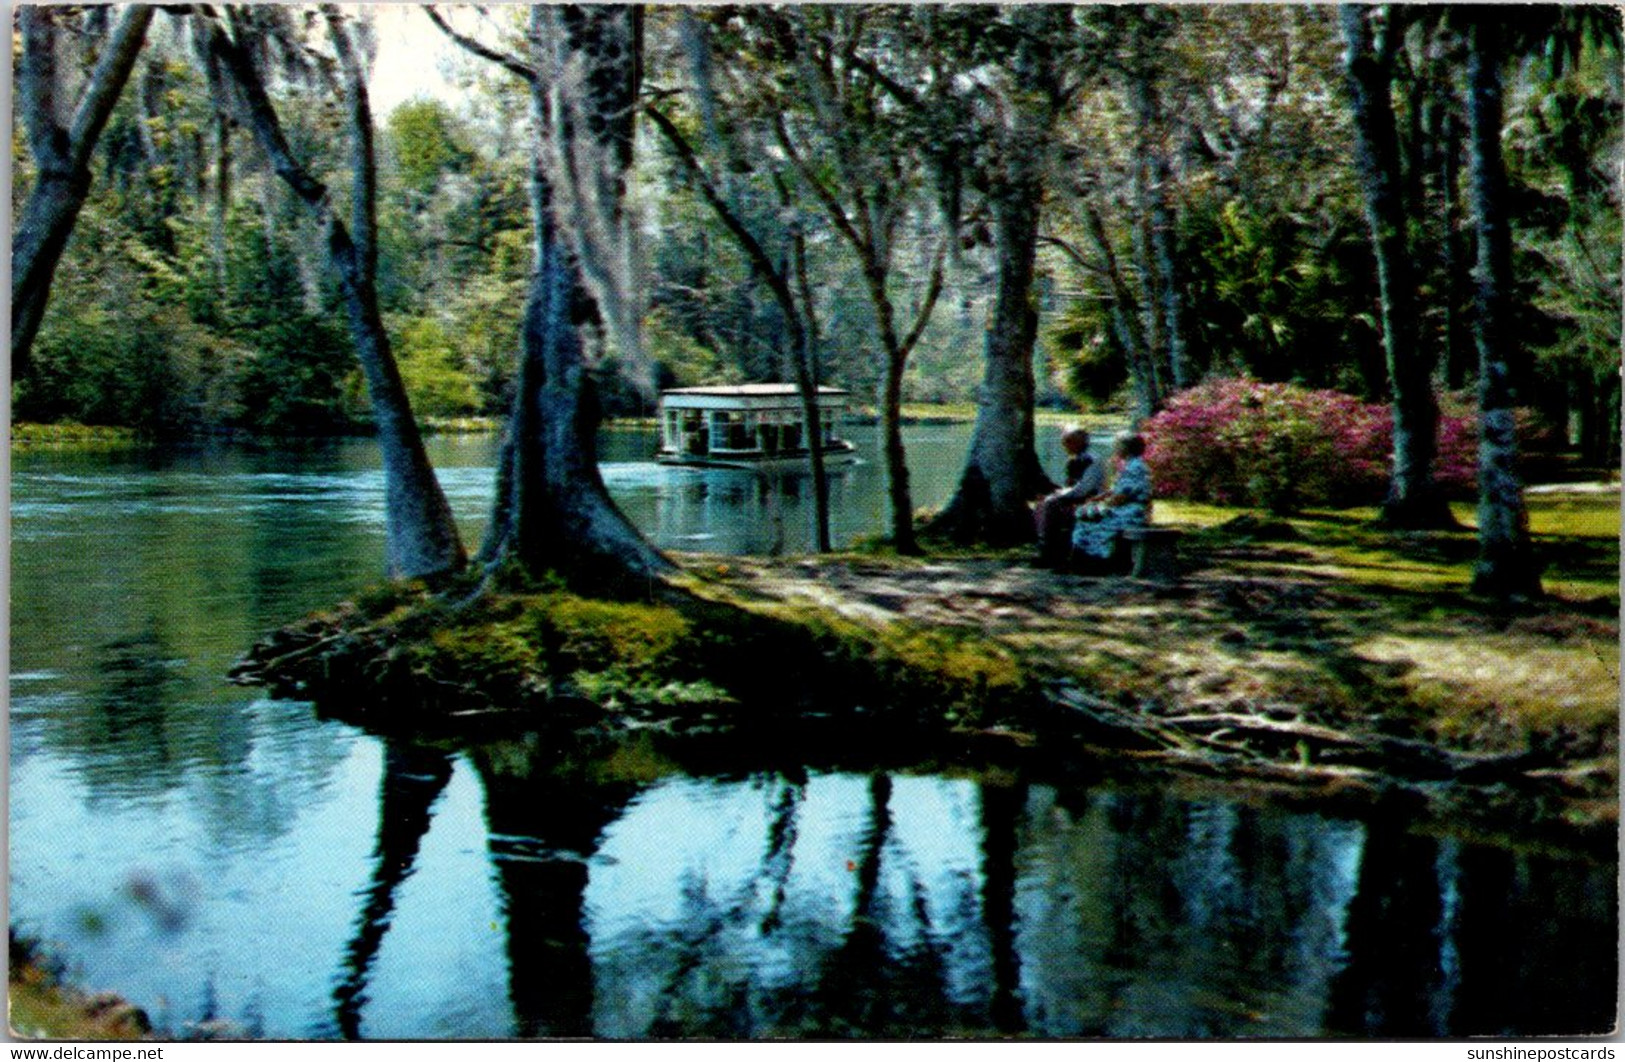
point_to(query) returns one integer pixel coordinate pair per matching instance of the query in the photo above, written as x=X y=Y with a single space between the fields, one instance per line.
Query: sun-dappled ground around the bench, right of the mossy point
x=1315 y=654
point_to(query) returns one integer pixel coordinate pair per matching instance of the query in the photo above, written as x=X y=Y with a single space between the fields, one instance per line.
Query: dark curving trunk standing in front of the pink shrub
x=1415 y=499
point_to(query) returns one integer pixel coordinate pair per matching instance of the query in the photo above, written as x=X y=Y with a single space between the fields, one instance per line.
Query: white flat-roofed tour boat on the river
x=748 y=426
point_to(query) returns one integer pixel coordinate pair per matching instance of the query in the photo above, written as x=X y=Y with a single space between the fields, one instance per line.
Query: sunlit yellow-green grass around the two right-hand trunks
x=1467 y=670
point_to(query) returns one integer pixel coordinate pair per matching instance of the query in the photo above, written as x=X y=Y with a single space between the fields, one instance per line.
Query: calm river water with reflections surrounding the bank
x=220 y=857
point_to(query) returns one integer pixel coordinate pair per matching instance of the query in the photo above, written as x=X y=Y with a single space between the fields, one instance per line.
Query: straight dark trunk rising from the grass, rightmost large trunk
x=1507 y=566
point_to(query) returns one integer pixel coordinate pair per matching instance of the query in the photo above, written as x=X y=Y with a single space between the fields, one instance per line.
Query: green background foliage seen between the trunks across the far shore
x=170 y=319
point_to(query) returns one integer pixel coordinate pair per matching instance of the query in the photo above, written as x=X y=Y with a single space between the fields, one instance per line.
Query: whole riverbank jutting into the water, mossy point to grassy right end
x=1315 y=658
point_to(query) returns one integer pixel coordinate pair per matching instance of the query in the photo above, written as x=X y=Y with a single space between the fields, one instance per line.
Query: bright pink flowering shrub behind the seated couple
x=1285 y=447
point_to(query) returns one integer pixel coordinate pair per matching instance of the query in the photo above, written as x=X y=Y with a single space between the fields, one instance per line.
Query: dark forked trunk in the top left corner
x=61 y=155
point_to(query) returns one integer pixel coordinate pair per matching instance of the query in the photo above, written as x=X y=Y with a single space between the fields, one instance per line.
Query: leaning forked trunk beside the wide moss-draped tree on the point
x=422 y=535
